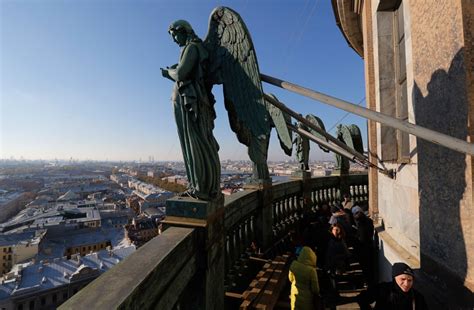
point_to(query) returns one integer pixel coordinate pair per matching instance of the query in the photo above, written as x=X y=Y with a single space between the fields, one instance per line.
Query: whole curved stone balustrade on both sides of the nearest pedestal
x=161 y=272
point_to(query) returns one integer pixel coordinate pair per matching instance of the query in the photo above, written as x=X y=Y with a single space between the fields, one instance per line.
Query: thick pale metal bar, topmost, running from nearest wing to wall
x=418 y=131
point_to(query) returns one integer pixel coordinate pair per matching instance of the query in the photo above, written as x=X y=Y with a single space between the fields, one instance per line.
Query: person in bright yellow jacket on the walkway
x=304 y=281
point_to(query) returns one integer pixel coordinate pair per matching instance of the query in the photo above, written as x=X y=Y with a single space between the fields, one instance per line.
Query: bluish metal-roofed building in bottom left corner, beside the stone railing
x=47 y=284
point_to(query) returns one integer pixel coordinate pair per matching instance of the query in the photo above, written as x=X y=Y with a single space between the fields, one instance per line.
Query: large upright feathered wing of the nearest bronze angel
x=233 y=63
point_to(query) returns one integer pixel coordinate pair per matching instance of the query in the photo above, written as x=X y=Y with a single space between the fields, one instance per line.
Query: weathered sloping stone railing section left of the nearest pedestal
x=167 y=261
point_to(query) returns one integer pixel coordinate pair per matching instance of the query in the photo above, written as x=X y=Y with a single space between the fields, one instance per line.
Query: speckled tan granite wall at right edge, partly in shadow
x=440 y=95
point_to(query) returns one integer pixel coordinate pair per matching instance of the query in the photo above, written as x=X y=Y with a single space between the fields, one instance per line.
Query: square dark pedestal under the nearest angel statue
x=207 y=217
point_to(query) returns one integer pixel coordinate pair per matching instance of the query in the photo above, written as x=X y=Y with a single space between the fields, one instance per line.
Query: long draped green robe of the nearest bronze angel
x=194 y=115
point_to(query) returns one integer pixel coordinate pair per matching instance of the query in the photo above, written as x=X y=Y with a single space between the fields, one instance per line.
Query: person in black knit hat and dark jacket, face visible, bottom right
x=396 y=295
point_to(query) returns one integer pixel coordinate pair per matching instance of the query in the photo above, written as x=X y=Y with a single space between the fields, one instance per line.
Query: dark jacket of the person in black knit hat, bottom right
x=389 y=296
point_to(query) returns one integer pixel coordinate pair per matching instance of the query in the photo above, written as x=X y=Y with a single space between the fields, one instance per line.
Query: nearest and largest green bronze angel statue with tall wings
x=226 y=57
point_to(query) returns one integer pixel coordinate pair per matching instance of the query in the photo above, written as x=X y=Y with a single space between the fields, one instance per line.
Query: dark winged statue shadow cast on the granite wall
x=441 y=174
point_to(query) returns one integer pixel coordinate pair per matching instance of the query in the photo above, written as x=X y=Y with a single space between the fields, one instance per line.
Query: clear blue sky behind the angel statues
x=81 y=78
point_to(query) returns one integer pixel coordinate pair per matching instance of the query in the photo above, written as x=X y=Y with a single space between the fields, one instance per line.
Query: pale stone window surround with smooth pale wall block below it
x=397 y=198
